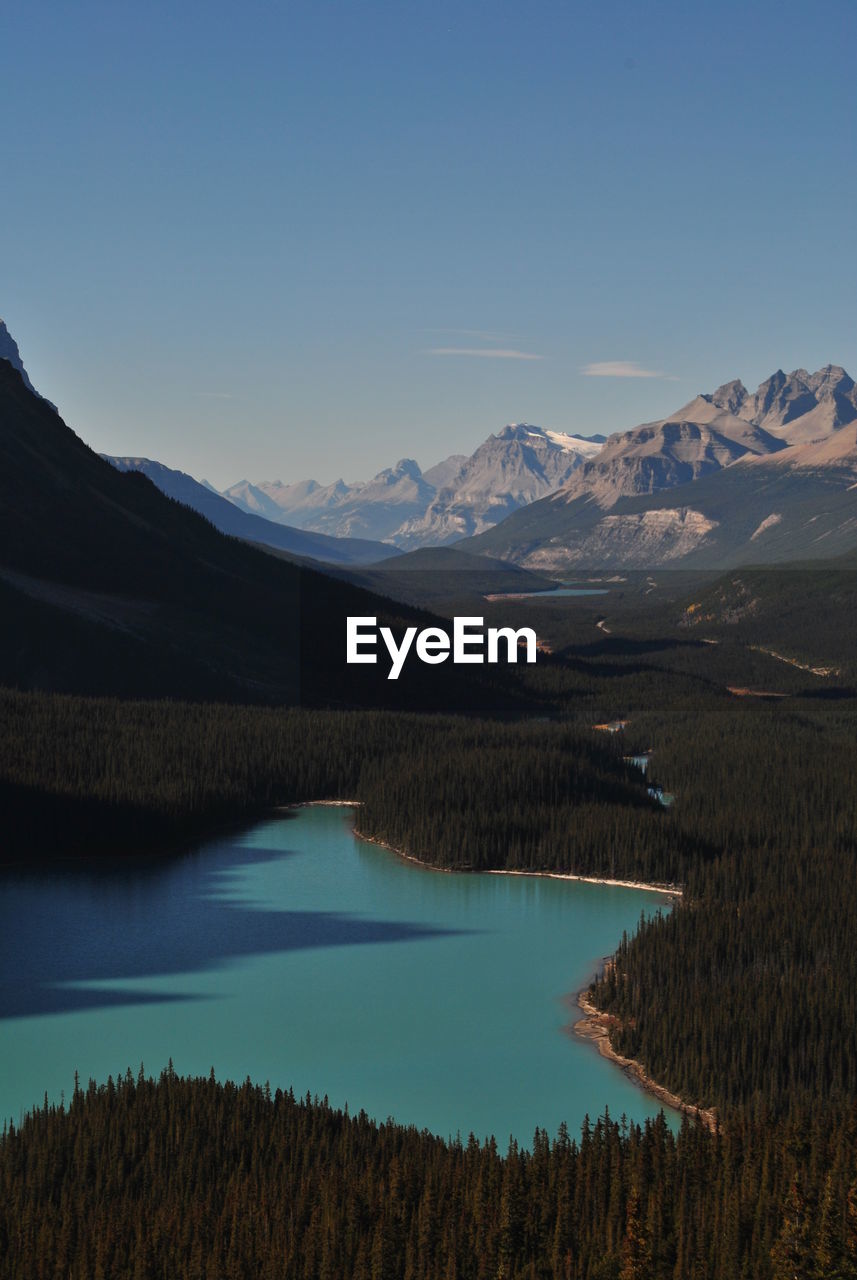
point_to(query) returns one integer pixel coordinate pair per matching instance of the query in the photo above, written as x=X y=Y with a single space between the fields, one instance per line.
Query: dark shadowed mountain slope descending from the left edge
x=108 y=586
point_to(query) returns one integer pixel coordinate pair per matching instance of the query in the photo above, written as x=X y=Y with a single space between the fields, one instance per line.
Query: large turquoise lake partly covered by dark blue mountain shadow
x=299 y=954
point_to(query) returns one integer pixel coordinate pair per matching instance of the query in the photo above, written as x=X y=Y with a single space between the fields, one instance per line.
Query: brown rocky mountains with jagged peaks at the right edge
x=731 y=478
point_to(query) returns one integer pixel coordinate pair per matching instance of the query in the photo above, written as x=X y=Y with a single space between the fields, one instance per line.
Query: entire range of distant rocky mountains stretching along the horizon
x=732 y=478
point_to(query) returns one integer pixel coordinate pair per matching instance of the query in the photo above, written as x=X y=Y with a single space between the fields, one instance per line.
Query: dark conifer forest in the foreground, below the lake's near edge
x=190 y=1178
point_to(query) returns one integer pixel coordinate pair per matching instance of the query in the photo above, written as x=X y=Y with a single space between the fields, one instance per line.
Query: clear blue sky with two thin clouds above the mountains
x=306 y=240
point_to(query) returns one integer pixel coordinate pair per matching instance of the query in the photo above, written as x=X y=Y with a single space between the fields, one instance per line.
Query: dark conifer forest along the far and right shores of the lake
x=744 y=994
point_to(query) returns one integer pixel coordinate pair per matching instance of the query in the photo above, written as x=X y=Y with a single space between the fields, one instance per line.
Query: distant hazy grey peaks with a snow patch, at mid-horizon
x=457 y=499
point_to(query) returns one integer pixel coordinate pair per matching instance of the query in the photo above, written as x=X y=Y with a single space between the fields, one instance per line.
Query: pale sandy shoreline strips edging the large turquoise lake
x=595 y=1026
